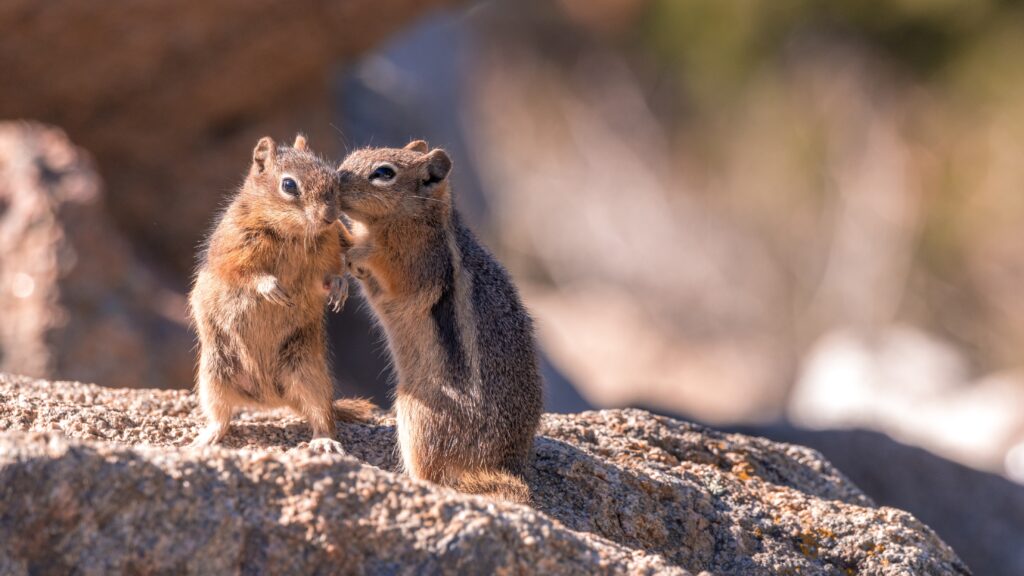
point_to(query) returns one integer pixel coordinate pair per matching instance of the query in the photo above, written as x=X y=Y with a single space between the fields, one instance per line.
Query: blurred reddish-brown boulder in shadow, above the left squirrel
x=170 y=97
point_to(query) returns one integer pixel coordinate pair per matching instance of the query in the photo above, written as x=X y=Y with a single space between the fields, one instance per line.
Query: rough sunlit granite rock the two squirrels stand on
x=95 y=479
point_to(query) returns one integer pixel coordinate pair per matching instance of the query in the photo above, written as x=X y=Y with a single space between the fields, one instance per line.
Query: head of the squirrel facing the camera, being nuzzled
x=300 y=188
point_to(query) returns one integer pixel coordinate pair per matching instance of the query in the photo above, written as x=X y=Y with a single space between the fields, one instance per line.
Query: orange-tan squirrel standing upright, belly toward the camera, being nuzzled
x=274 y=261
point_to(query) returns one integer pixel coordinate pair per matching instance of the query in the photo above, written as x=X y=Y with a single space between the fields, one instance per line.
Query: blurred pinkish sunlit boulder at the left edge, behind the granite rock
x=74 y=302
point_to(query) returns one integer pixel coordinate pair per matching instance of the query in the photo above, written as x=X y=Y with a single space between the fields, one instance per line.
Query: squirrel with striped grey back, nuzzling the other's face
x=470 y=396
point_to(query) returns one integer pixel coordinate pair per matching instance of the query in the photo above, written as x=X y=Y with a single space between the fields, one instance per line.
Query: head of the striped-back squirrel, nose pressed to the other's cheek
x=411 y=182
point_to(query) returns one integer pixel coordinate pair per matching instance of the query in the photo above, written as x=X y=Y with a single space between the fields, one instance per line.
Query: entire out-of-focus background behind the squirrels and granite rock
x=794 y=219
